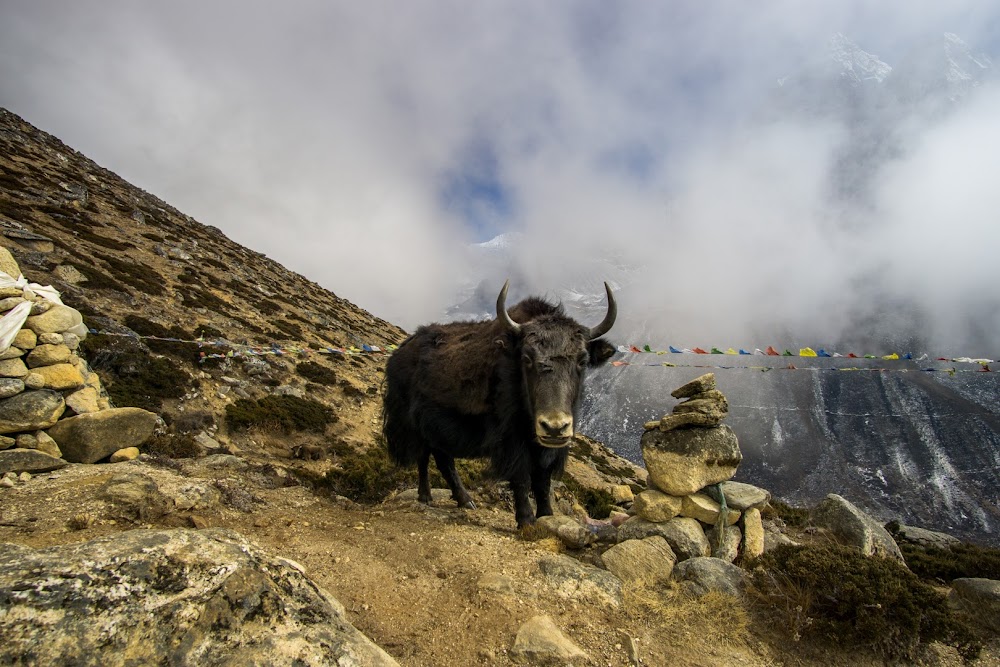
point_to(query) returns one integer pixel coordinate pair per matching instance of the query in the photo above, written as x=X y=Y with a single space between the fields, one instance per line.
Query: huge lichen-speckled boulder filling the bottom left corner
x=180 y=597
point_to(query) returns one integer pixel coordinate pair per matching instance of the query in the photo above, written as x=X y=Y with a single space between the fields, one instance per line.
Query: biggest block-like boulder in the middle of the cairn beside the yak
x=682 y=462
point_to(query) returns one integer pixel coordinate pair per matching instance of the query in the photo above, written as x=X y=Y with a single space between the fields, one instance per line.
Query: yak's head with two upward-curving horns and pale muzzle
x=555 y=352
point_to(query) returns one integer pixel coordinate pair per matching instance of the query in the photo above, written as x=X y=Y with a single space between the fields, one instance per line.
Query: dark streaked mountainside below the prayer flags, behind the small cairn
x=920 y=447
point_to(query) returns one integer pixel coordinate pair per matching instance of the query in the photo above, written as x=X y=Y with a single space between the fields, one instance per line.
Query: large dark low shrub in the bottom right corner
x=836 y=594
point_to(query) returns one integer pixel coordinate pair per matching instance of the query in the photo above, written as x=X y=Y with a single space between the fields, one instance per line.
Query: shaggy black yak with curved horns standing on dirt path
x=506 y=389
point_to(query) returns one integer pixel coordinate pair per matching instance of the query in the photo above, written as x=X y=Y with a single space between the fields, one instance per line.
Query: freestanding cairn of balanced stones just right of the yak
x=687 y=453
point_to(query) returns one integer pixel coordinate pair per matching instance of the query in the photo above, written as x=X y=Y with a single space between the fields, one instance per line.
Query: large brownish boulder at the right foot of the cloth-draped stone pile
x=91 y=437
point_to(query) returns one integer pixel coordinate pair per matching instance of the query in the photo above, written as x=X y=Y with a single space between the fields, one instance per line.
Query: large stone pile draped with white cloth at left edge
x=53 y=410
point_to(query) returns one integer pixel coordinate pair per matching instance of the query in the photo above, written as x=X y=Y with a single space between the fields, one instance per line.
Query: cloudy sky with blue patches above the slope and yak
x=365 y=145
